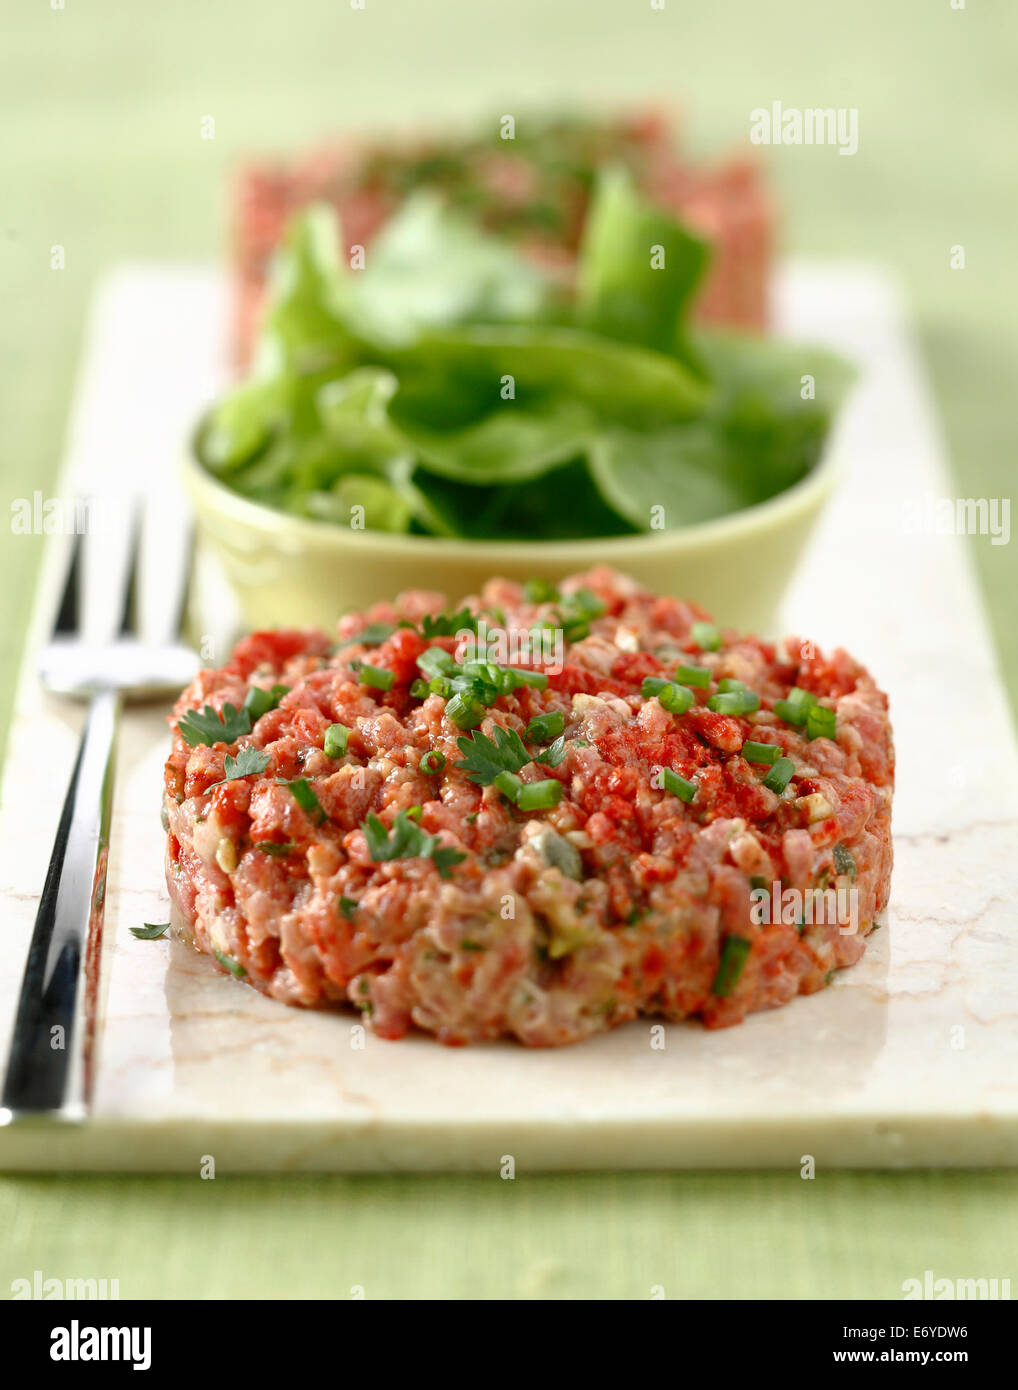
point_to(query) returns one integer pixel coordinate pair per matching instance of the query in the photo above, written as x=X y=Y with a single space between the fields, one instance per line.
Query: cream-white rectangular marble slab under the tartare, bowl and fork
x=907 y=1060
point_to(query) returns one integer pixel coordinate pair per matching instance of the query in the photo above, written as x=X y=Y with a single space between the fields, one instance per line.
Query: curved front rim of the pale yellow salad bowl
x=802 y=498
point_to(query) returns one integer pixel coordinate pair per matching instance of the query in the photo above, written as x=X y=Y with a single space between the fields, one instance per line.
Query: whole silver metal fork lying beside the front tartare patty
x=94 y=657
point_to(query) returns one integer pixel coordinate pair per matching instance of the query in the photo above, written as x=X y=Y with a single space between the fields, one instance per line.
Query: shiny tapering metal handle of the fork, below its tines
x=49 y=1071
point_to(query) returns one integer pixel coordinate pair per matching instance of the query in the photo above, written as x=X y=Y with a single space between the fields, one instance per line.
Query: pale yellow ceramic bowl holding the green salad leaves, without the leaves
x=290 y=572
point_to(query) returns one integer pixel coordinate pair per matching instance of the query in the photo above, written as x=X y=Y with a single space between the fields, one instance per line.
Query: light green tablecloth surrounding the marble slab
x=104 y=156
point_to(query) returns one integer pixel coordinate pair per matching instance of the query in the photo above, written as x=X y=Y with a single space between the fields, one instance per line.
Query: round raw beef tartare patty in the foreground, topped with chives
x=650 y=819
